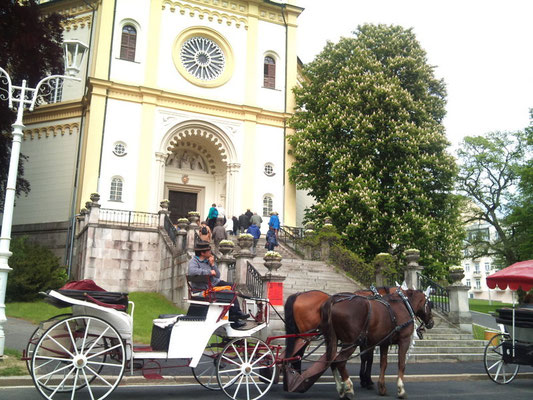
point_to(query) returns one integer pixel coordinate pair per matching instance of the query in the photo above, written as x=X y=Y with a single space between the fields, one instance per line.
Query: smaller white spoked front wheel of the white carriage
x=246 y=368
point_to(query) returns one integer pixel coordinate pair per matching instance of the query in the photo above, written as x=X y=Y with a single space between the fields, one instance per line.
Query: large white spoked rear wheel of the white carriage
x=77 y=352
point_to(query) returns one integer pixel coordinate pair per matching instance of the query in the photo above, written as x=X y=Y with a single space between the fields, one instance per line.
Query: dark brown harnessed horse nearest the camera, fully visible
x=359 y=321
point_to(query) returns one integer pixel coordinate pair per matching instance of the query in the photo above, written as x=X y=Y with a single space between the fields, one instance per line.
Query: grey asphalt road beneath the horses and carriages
x=519 y=389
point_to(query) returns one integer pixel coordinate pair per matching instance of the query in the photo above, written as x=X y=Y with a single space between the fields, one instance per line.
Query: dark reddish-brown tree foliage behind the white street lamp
x=30 y=48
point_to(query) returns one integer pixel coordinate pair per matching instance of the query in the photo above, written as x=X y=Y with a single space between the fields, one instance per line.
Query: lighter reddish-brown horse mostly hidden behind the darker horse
x=302 y=315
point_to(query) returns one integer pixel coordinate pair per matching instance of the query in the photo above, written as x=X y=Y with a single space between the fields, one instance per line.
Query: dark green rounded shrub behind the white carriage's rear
x=35 y=269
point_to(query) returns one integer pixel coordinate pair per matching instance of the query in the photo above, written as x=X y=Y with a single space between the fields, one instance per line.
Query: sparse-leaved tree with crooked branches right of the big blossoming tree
x=489 y=175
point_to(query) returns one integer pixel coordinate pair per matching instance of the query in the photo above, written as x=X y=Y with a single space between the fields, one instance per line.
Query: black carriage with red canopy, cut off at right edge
x=512 y=347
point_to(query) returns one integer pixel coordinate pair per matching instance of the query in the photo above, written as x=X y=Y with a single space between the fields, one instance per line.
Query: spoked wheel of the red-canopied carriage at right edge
x=497 y=369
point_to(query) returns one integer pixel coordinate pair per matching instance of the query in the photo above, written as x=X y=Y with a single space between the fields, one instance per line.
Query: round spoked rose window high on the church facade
x=202 y=58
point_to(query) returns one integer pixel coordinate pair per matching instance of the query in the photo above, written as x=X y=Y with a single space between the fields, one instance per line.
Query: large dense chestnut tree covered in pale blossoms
x=369 y=146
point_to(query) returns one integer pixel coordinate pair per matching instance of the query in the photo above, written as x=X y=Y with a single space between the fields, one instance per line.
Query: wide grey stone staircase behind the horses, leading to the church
x=443 y=343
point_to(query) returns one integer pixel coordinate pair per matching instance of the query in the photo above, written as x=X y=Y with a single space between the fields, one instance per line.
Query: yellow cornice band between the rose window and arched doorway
x=192 y=104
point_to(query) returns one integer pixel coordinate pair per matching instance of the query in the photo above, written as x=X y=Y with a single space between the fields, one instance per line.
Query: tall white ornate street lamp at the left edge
x=20 y=97
